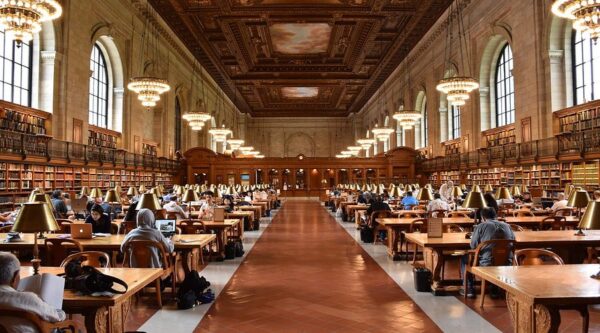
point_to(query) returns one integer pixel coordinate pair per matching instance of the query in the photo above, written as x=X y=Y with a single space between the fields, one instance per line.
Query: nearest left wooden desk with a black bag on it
x=104 y=314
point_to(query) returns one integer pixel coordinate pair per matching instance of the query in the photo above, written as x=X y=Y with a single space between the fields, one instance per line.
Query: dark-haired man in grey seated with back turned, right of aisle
x=489 y=228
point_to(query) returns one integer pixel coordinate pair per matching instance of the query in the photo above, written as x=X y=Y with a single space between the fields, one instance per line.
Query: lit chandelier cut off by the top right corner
x=584 y=13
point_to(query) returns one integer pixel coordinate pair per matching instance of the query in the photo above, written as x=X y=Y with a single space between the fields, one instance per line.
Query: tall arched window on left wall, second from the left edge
x=98 y=89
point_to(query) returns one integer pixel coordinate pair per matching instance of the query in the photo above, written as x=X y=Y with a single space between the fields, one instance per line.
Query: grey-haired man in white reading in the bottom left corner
x=10 y=298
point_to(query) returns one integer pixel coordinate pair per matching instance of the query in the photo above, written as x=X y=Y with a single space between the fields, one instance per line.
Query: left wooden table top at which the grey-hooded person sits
x=112 y=242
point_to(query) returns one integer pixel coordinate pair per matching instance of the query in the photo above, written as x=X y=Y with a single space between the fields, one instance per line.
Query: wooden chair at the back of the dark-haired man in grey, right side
x=502 y=252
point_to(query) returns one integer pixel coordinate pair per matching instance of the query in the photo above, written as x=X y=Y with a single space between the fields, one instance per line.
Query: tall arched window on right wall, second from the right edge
x=505 y=88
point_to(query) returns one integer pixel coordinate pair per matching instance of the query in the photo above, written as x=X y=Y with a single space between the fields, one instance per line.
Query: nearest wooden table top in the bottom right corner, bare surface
x=546 y=284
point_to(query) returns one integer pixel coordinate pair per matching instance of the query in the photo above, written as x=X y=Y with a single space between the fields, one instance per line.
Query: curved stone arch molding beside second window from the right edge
x=501 y=36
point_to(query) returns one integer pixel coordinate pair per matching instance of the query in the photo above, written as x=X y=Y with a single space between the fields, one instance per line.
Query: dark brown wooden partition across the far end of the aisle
x=298 y=176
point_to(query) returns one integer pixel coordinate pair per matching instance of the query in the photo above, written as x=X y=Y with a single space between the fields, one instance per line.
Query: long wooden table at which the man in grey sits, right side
x=564 y=242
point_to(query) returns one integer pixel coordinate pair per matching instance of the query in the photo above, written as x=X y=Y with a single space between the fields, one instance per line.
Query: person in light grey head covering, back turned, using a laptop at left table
x=146 y=230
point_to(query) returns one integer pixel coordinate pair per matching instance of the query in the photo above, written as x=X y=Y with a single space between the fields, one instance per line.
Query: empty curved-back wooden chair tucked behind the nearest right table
x=526 y=257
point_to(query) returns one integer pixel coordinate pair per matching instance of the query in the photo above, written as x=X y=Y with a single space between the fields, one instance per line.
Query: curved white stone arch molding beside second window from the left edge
x=102 y=37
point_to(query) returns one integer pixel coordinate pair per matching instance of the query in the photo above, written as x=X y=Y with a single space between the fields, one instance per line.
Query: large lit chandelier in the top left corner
x=21 y=19
